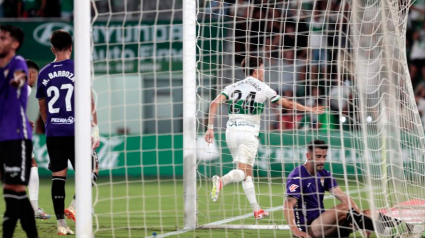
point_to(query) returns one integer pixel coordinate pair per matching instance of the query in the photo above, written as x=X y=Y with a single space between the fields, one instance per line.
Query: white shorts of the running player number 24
x=243 y=146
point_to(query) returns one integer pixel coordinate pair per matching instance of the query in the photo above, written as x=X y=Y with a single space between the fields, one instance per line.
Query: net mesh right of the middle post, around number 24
x=347 y=55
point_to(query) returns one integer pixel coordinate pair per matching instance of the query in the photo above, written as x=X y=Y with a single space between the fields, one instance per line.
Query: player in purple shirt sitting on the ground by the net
x=304 y=209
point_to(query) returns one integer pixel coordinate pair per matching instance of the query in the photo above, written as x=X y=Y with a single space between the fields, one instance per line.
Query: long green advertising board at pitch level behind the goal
x=153 y=155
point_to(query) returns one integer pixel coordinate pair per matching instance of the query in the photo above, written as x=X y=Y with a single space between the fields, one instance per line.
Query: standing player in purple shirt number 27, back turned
x=55 y=91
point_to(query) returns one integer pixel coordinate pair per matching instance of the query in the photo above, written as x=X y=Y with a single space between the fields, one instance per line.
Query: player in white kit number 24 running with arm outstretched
x=246 y=100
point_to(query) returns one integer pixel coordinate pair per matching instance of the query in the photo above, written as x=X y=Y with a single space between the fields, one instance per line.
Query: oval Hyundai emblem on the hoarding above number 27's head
x=42 y=33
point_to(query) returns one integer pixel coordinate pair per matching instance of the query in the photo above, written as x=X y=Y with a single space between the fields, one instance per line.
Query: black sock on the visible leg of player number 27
x=58 y=196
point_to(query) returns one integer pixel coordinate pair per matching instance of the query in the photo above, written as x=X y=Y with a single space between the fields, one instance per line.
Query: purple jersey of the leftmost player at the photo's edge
x=14 y=124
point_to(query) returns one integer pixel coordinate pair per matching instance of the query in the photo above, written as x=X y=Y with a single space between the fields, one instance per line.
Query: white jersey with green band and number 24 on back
x=246 y=101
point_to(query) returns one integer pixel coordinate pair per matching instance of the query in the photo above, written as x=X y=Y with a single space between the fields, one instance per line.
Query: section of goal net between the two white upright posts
x=137 y=62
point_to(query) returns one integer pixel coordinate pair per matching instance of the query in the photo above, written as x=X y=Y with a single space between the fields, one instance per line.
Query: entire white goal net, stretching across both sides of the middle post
x=348 y=55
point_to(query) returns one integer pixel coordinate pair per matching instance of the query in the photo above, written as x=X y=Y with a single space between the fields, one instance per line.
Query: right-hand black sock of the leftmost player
x=26 y=215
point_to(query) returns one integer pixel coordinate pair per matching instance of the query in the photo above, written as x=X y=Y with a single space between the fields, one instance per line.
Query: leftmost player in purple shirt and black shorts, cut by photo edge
x=15 y=134
